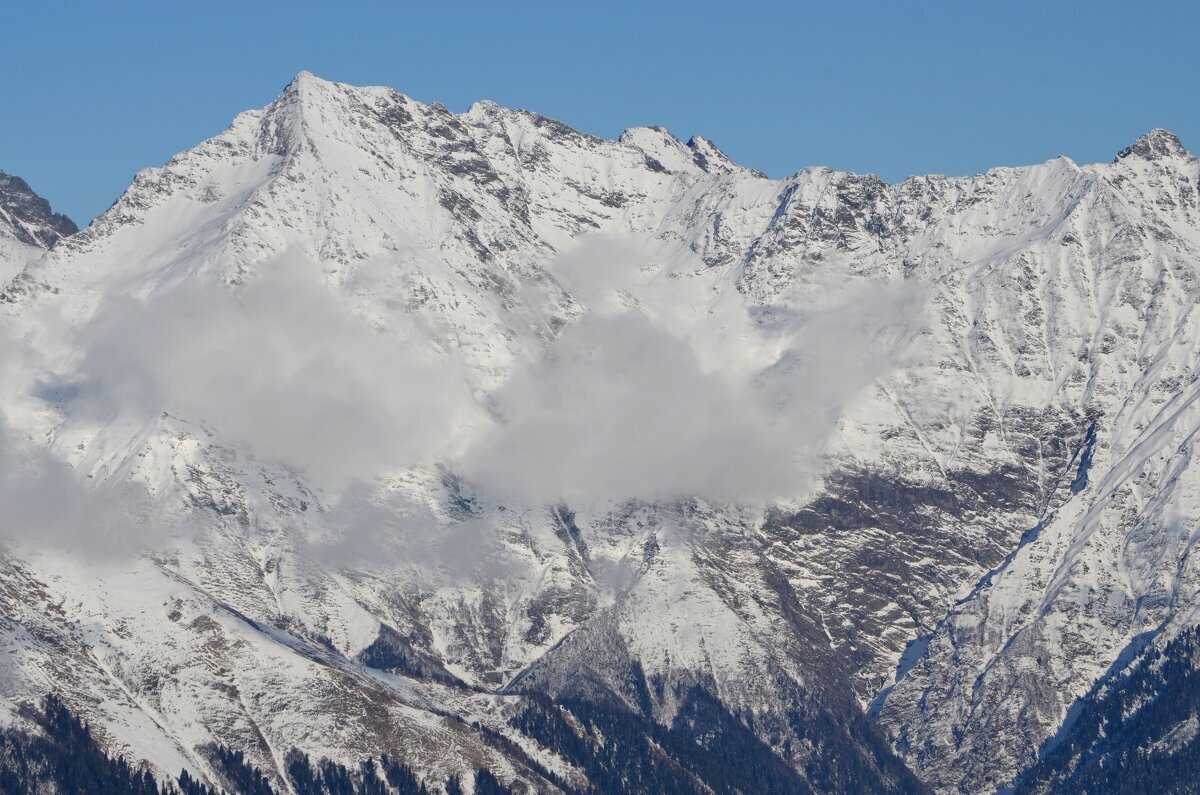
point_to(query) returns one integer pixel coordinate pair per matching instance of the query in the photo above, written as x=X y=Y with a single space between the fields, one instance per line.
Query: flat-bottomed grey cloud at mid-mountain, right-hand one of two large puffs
x=626 y=405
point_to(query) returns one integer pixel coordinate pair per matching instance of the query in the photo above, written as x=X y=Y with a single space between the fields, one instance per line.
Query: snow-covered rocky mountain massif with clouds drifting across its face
x=364 y=427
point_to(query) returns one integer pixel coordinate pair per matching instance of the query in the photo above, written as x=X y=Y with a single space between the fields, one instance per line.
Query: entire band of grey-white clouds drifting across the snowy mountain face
x=643 y=398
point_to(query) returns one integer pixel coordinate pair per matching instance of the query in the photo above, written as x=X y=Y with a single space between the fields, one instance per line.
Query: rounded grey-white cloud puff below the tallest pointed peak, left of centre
x=278 y=367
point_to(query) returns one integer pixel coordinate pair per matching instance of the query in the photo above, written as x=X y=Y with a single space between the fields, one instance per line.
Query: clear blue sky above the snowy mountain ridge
x=93 y=92
